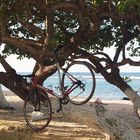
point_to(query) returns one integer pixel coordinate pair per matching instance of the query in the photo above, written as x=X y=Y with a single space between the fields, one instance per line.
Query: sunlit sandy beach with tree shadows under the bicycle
x=13 y=126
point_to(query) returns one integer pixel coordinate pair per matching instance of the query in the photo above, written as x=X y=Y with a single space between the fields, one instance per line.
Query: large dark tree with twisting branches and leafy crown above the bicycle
x=32 y=28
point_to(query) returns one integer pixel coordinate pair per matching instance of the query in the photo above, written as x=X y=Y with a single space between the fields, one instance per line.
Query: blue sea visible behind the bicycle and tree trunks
x=103 y=89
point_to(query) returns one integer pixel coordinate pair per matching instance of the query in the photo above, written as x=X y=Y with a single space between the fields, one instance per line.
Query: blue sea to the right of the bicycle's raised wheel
x=106 y=90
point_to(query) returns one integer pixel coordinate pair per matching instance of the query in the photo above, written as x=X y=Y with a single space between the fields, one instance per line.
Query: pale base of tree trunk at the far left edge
x=3 y=102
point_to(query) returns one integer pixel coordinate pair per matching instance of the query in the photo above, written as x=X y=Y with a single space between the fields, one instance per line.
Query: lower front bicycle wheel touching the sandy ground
x=45 y=111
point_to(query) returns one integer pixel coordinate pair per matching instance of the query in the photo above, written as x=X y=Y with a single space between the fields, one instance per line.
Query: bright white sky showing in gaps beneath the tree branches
x=27 y=65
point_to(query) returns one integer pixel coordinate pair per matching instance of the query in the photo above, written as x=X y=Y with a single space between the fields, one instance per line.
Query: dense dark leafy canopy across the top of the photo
x=91 y=24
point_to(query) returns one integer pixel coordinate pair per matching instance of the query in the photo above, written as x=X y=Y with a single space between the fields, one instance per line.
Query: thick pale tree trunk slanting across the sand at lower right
x=96 y=116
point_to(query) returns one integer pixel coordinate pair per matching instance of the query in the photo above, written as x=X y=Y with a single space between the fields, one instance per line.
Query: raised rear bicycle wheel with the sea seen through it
x=87 y=78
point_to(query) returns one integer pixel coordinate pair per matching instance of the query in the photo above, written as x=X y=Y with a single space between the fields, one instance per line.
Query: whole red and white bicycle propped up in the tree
x=74 y=87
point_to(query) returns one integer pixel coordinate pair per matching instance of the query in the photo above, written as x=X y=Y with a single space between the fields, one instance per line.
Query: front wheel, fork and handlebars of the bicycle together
x=37 y=107
